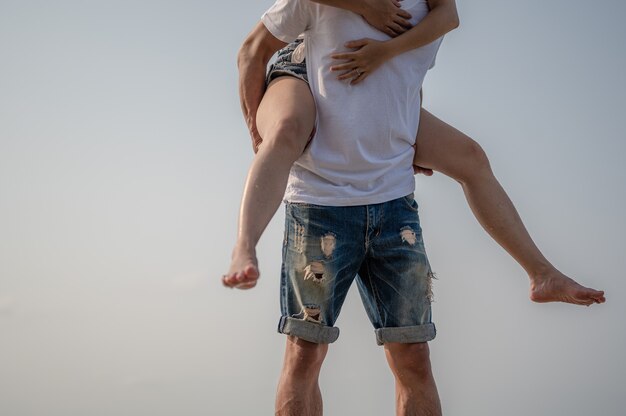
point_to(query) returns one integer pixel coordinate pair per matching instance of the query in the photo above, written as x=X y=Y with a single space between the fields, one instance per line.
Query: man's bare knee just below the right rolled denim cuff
x=409 y=359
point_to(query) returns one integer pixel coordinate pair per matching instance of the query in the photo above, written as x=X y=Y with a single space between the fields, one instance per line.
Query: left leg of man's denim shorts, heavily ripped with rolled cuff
x=323 y=249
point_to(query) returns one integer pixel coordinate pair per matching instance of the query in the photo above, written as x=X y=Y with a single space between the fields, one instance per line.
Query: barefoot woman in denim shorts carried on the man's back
x=285 y=118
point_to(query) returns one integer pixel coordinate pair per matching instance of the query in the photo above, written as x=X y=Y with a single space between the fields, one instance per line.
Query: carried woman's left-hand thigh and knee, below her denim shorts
x=287 y=105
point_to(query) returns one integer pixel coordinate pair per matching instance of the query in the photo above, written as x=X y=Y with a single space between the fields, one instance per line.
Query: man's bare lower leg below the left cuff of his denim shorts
x=298 y=388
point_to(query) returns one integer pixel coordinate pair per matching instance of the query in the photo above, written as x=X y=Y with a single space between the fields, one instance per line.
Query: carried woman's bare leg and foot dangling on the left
x=285 y=120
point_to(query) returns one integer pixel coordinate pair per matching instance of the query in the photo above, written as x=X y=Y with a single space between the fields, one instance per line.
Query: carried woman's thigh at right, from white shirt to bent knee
x=442 y=148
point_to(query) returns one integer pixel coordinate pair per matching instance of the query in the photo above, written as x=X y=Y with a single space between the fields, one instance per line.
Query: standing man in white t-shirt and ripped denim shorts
x=350 y=210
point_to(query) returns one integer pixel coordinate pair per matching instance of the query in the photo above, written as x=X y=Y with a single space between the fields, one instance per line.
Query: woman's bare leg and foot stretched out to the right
x=443 y=148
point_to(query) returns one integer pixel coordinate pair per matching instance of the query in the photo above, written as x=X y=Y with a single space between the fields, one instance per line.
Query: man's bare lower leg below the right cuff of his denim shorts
x=416 y=391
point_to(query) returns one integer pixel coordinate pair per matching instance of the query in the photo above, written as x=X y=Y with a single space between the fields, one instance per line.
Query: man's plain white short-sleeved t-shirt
x=362 y=151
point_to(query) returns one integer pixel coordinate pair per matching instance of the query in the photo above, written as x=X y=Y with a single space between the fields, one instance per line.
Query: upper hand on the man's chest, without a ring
x=386 y=16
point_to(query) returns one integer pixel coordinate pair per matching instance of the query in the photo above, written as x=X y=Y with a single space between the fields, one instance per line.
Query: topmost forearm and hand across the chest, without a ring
x=384 y=15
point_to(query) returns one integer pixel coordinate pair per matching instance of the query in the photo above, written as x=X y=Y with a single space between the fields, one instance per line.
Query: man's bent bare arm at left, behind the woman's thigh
x=252 y=59
